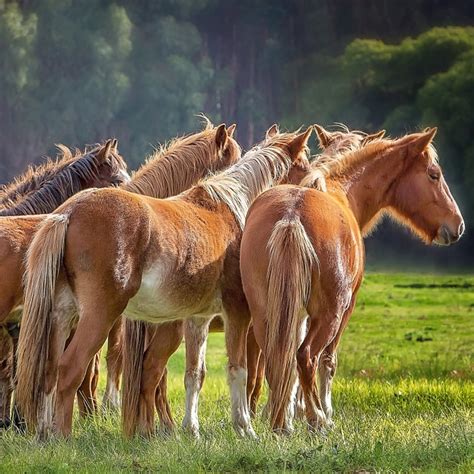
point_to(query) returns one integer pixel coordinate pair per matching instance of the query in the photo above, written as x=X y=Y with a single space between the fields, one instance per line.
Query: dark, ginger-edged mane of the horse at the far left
x=41 y=189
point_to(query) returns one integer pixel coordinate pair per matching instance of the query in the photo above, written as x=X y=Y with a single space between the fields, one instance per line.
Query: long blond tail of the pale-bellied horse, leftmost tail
x=43 y=263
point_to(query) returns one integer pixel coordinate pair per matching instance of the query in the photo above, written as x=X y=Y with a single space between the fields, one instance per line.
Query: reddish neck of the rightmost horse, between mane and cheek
x=366 y=190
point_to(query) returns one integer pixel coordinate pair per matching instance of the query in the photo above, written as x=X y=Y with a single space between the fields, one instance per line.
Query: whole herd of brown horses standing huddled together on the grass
x=267 y=246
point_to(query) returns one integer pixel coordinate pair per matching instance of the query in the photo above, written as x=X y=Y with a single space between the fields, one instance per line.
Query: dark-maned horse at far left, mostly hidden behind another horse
x=38 y=191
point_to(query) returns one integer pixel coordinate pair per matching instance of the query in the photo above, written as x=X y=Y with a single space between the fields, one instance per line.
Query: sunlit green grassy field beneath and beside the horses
x=403 y=398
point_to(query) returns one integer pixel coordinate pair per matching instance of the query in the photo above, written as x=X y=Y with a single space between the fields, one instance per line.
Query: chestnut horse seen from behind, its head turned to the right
x=302 y=254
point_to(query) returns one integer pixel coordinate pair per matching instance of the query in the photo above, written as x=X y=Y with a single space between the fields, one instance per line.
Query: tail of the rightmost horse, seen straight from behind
x=291 y=261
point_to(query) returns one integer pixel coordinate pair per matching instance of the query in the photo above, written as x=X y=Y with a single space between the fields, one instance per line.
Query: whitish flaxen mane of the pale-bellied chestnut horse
x=256 y=172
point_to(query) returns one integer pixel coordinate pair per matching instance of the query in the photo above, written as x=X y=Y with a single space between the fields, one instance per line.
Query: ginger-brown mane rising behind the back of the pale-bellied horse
x=176 y=166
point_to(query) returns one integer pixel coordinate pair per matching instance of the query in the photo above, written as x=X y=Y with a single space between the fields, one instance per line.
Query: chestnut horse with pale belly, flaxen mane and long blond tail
x=160 y=259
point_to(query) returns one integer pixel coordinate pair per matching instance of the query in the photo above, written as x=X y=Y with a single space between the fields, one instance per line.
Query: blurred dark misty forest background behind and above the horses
x=79 y=71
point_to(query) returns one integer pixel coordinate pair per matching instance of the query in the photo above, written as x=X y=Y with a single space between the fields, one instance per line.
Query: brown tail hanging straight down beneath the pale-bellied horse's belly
x=134 y=353
